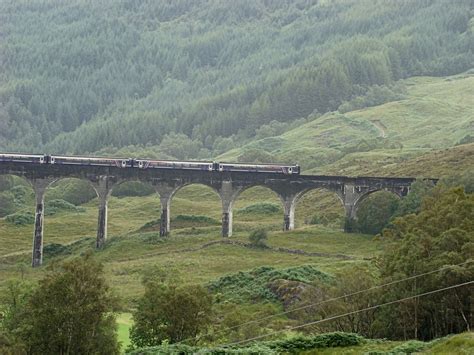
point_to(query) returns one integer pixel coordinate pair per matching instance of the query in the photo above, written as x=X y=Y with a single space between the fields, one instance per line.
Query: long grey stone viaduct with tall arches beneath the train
x=166 y=182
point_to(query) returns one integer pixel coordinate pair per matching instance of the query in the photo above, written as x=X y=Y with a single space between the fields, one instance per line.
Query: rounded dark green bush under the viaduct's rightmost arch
x=376 y=211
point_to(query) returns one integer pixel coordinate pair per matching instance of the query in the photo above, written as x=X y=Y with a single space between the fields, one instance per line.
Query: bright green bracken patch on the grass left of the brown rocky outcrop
x=253 y=285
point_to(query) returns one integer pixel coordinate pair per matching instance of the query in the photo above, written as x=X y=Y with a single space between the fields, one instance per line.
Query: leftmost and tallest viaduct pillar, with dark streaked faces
x=39 y=186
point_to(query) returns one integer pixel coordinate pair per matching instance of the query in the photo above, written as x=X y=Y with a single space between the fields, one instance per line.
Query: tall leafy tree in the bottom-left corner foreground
x=71 y=312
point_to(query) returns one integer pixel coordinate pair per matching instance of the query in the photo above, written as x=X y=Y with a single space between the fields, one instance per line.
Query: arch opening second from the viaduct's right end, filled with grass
x=319 y=206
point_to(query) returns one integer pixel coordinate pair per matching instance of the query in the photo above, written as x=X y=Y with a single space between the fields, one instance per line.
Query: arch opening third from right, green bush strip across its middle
x=257 y=207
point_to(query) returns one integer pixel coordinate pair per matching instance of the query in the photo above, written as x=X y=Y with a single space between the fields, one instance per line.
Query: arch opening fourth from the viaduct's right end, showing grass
x=195 y=207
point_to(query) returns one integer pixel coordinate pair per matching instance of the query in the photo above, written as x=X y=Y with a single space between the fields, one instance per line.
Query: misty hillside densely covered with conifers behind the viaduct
x=195 y=78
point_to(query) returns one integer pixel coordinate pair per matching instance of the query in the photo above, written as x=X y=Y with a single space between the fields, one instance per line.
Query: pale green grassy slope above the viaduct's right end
x=436 y=114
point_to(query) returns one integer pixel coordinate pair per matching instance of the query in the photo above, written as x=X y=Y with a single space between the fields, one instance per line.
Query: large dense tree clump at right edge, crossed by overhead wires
x=441 y=234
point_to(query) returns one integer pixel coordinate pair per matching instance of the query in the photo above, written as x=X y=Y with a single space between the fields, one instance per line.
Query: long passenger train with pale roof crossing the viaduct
x=150 y=164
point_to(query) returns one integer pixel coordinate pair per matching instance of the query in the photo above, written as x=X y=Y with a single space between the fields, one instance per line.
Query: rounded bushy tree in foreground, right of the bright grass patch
x=169 y=312
